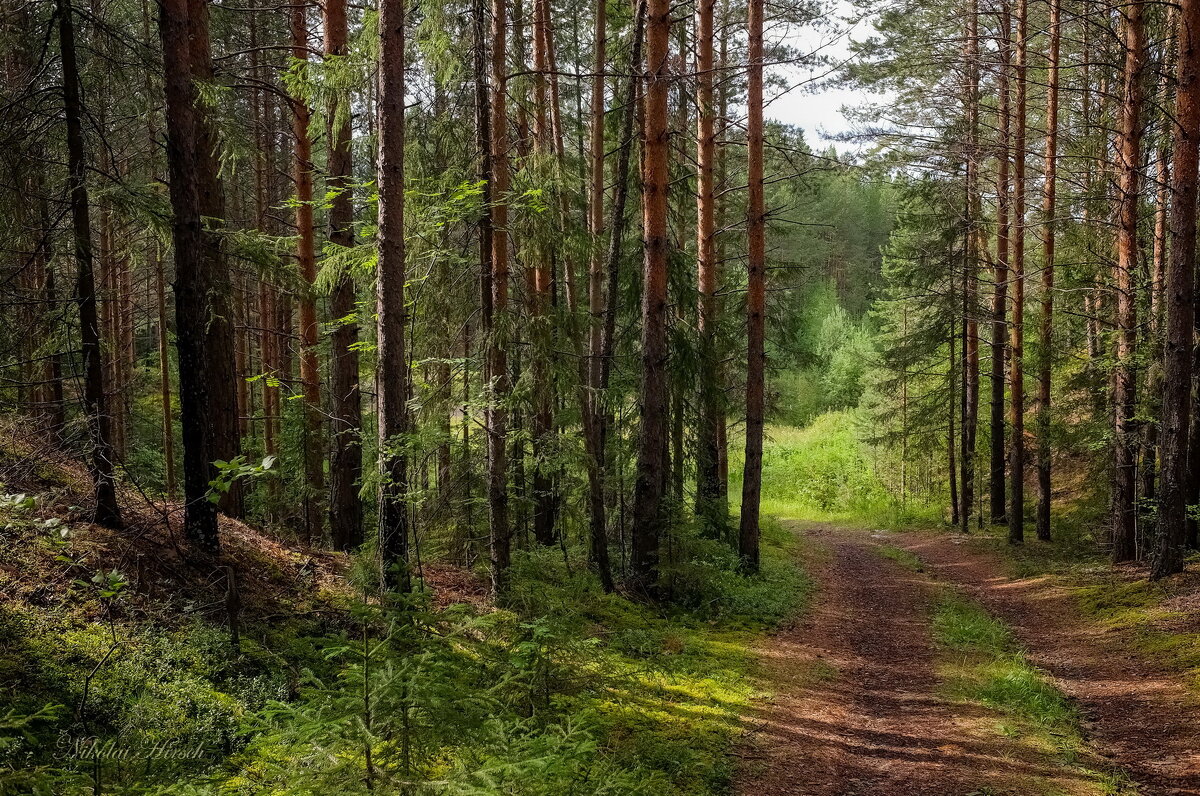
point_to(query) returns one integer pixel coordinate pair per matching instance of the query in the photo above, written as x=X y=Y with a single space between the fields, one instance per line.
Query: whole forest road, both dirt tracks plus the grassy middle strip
x=885 y=689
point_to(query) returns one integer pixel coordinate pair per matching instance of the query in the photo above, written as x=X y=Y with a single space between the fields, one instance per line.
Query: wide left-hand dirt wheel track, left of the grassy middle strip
x=859 y=711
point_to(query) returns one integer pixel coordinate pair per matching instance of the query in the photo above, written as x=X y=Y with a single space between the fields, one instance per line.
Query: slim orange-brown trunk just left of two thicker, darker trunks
x=307 y=261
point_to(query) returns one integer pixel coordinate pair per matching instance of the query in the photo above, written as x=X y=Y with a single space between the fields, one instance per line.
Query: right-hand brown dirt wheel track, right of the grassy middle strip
x=1142 y=719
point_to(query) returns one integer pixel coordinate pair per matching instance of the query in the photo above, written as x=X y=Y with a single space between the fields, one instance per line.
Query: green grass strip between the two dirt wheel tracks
x=983 y=665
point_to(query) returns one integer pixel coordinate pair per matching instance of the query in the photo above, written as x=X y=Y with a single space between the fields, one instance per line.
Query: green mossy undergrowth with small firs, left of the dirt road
x=566 y=691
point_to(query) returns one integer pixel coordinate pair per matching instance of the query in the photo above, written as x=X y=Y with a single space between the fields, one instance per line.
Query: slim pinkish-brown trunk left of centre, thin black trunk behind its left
x=497 y=362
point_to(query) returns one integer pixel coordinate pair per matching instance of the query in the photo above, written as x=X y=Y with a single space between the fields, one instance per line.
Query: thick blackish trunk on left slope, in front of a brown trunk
x=193 y=278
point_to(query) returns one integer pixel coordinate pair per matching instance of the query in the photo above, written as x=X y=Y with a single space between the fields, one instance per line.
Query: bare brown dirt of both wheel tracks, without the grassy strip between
x=859 y=709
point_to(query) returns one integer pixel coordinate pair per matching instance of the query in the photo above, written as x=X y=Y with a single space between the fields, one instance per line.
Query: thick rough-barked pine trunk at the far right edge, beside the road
x=1169 y=543
